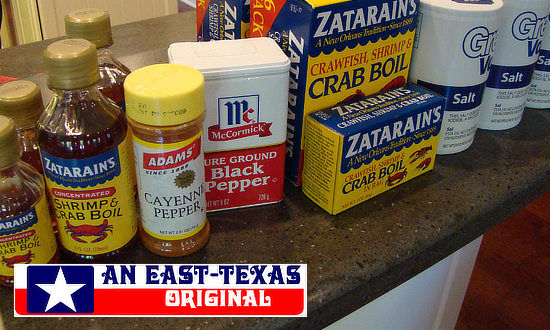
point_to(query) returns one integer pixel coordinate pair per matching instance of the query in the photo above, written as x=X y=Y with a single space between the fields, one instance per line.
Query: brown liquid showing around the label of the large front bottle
x=97 y=129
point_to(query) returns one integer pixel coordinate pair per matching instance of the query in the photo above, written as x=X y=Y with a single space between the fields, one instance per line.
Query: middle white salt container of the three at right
x=517 y=48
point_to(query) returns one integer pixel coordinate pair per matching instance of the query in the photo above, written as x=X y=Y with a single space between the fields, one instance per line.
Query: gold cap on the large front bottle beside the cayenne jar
x=71 y=63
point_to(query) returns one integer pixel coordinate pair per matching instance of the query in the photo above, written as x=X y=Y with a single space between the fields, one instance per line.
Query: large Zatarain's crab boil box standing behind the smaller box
x=338 y=50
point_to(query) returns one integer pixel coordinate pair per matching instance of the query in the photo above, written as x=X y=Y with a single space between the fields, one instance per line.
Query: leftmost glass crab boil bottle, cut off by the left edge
x=26 y=233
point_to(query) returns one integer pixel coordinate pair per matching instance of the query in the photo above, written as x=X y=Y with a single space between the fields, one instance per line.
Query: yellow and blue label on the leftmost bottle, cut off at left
x=27 y=238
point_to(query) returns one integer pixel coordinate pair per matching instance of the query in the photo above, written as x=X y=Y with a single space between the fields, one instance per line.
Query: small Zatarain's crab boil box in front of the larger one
x=361 y=148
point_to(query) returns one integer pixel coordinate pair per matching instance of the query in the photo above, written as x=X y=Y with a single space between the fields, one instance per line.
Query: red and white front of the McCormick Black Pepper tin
x=244 y=149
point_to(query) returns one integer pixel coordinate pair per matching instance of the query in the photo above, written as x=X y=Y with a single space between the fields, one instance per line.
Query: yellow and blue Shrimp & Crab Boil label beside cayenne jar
x=93 y=199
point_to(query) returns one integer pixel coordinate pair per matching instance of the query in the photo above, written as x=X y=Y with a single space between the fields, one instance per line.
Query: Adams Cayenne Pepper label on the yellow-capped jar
x=171 y=185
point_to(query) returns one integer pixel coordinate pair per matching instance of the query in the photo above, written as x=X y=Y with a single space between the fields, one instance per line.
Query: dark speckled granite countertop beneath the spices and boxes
x=357 y=255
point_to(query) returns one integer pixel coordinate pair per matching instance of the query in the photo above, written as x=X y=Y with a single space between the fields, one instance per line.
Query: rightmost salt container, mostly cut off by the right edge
x=538 y=96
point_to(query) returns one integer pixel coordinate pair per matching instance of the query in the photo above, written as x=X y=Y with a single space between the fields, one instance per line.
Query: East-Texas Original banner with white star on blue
x=167 y=290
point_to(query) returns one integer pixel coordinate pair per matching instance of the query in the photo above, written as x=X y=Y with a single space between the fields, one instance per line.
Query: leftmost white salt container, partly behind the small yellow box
x=454 y=45
